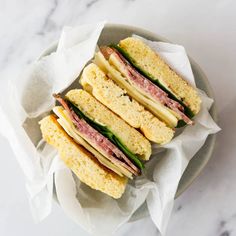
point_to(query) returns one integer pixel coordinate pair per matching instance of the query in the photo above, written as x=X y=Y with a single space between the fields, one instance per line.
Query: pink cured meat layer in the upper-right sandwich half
x=146 y=86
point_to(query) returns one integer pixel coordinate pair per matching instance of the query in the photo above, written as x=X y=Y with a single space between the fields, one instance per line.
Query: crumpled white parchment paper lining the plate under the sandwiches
x=30 y=99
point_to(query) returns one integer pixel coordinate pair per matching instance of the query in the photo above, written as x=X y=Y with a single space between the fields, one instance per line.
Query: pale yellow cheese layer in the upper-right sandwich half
x=162 y=112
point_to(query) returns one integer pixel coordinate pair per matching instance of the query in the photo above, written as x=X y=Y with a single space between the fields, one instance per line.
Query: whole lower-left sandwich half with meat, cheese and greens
x=98 y=146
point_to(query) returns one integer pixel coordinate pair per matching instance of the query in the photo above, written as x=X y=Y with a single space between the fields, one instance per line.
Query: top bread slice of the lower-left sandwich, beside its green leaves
x=130 y=137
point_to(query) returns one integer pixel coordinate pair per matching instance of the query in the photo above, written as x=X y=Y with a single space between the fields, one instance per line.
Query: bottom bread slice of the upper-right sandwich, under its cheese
x=94 y=80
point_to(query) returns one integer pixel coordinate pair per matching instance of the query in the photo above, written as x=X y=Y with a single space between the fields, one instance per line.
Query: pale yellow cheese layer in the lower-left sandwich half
x=66 y=123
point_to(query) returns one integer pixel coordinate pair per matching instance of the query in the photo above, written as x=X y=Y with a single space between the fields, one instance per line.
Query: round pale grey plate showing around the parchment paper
x=113 y=33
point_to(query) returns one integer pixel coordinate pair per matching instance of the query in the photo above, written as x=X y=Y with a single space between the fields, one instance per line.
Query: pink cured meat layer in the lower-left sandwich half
x=98 y=140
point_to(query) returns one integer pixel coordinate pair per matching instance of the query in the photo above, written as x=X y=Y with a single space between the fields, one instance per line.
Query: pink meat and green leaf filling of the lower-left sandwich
x=101 y=138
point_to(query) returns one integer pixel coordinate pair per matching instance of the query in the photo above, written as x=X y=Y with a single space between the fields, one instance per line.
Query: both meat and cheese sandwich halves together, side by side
x=130 y=97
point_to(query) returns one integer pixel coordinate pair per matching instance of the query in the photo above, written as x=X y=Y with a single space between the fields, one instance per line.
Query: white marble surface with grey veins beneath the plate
x=207 y=29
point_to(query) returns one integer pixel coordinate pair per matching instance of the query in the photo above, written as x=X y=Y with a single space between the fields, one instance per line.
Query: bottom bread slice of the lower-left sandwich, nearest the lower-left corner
x=80 y=161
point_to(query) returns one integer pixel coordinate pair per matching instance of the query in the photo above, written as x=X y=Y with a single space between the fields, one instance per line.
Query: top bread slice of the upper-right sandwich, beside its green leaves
x=153 y=64
